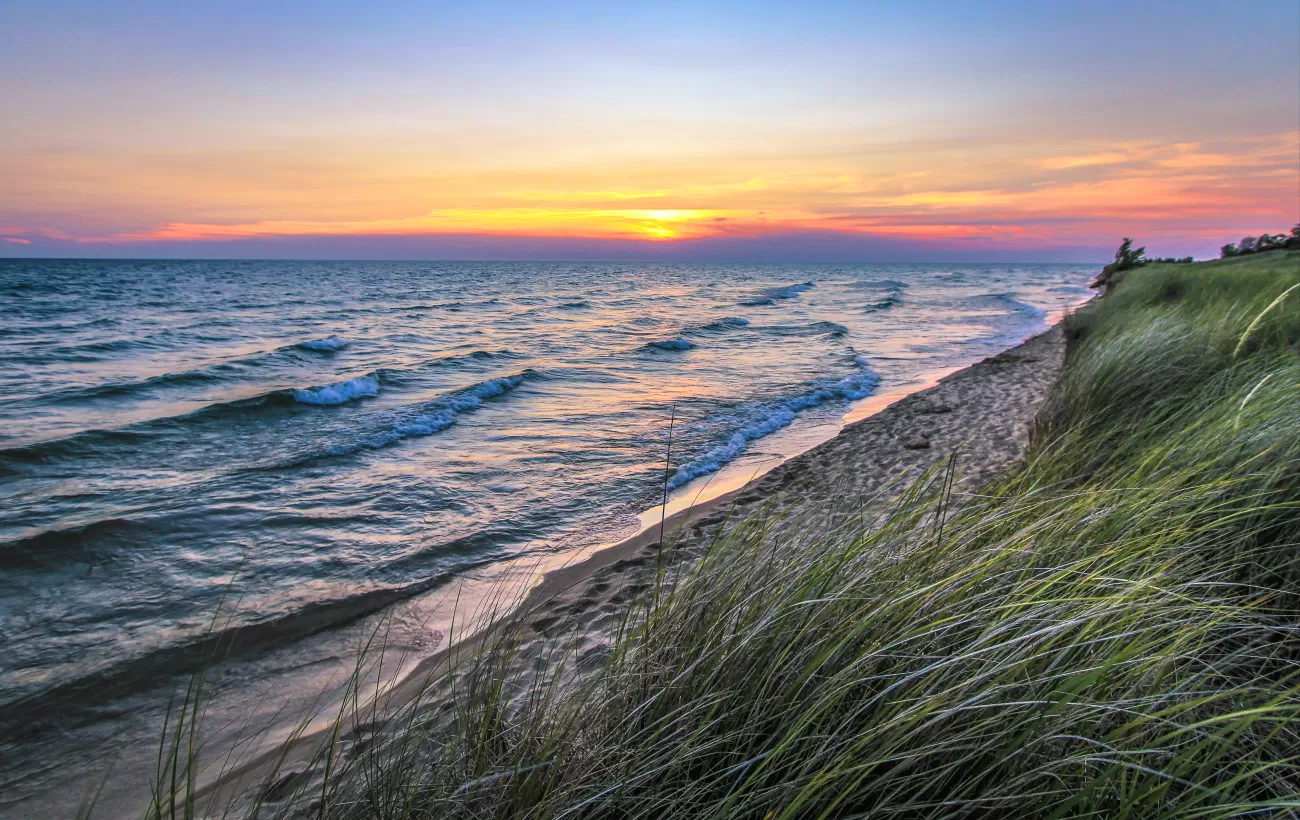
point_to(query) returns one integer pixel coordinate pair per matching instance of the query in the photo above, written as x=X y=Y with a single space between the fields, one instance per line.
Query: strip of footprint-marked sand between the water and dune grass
x=983 y=414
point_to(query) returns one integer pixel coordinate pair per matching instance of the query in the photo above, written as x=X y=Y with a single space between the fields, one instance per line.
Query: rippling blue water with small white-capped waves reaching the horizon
x=315 y=441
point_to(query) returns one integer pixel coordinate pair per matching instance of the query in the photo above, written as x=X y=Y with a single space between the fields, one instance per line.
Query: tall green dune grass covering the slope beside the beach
x=1108 y=631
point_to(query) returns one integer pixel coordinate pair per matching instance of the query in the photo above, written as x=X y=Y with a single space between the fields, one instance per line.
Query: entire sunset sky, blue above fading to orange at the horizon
x=929 y=131
